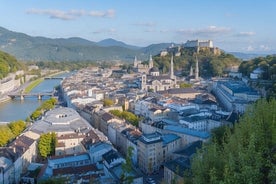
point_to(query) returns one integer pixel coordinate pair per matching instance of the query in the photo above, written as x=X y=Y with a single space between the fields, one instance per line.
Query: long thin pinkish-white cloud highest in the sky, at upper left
x=72 y=14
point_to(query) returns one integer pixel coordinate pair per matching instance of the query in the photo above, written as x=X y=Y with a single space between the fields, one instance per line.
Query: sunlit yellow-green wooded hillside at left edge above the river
x=8 y=64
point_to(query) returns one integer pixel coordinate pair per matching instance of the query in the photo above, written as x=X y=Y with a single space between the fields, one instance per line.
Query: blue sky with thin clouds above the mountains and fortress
x=233 y=25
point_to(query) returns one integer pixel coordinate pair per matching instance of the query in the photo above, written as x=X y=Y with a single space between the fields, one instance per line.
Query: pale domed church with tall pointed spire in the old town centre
x=153 y=81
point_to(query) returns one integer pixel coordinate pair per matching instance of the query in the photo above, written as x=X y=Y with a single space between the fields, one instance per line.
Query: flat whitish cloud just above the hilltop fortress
x=208 y=31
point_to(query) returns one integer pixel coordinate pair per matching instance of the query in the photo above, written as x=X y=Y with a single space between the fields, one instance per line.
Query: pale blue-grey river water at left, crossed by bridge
x=17 y=109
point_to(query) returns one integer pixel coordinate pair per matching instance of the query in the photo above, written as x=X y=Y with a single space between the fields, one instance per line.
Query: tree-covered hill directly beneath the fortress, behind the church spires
x=210 y=64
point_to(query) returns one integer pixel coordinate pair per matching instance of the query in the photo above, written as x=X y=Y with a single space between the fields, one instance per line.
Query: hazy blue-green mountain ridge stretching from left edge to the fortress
x=29 y=48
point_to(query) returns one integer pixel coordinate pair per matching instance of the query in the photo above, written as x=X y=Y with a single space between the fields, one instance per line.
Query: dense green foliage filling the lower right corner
x=248 y=155
